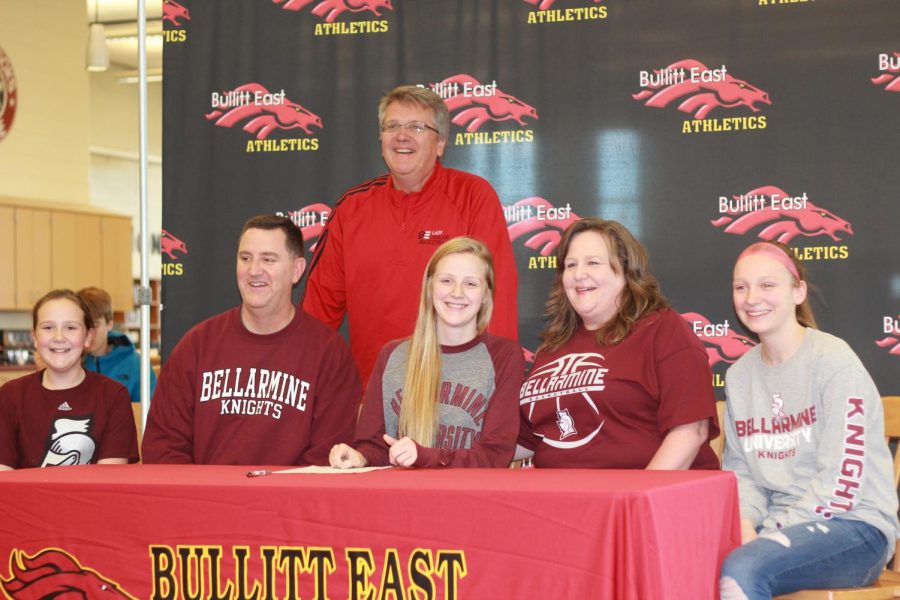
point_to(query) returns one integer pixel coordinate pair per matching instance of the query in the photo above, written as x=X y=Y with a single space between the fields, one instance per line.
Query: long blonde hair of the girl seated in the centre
x=419 y=409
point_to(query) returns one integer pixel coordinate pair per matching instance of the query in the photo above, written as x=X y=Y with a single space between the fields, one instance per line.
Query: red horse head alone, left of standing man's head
x=264 y=119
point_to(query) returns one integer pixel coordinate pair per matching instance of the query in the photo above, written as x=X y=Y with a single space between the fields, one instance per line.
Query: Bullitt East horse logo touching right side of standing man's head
x=472 y=103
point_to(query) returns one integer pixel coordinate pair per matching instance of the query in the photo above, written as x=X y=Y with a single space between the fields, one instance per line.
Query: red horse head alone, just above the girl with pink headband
x=787 y=224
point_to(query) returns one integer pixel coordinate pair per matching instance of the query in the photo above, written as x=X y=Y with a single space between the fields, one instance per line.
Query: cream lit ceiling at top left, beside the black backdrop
x=119 y=18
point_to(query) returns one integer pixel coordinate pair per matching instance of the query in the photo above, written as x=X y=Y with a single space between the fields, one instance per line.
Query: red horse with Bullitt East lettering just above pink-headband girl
x=781 y=216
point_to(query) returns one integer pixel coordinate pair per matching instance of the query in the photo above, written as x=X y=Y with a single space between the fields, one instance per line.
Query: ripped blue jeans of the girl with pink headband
x=817 y=554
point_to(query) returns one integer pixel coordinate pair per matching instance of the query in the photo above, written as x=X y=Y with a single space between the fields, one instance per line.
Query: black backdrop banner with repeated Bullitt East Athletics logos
x=702 y=126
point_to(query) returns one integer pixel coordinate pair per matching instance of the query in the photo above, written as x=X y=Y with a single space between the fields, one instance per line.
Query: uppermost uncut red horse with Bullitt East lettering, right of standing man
x=697 y=89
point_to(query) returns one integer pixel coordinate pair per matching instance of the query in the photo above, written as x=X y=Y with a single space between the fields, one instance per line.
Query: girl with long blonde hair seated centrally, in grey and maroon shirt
x=447 y=396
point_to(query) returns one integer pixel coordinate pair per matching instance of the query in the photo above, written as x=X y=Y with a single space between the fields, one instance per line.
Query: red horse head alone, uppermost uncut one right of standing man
x=700 y=98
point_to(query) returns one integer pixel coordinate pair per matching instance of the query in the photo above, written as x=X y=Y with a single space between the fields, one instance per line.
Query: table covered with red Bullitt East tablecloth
x=210 y=532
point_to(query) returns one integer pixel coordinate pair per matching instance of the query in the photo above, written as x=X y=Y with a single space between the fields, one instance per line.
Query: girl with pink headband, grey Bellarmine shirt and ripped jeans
x=804 y=433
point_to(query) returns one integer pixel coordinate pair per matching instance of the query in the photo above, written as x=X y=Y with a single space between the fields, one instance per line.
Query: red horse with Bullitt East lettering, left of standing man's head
x=261 y=111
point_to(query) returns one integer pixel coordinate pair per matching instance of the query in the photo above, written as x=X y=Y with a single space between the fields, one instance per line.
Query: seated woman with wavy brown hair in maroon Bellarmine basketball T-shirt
x=620 y=381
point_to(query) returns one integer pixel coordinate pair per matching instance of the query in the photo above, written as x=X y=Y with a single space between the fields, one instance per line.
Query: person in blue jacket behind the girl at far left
x=111 y=353
